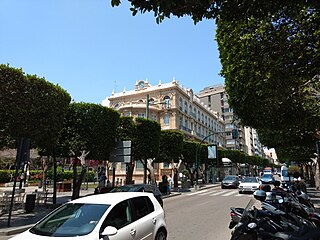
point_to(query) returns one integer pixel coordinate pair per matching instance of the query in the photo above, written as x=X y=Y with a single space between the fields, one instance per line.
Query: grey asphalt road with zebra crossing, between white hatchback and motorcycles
x=202 y=215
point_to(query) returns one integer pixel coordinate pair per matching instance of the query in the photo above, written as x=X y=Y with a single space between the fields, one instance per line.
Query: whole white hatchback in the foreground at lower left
x=113 y=216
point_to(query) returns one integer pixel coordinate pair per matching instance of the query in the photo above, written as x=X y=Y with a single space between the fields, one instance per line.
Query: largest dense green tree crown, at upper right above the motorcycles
x=259 y=53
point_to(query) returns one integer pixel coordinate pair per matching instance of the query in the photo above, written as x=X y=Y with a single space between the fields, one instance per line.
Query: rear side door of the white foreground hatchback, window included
x=143 y=216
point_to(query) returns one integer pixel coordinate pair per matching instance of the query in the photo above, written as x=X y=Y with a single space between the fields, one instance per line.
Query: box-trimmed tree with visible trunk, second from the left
x=89 y=129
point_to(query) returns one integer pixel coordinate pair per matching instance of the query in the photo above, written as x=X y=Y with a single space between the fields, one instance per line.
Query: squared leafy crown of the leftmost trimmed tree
x=30 y=107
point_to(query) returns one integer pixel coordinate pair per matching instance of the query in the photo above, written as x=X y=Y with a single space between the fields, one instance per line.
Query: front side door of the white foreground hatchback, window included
x=121 y=218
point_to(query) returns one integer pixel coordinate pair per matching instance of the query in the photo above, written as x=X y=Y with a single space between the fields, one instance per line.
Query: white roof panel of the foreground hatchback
x=110 y=198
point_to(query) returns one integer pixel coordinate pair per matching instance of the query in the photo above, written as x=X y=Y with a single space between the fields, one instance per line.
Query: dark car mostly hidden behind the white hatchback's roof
x=141 y=188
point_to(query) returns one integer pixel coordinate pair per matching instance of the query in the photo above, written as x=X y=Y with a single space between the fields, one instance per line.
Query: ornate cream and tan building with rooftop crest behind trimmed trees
x=174 y=107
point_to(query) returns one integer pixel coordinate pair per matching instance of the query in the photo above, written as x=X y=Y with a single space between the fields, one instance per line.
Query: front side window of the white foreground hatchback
x=119 y=216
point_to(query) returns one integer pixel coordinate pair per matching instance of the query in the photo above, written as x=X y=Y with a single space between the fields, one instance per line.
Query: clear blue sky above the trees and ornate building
x=90 y=49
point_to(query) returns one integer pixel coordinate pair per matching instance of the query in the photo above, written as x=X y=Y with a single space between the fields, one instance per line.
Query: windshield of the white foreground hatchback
x=71 y=220
